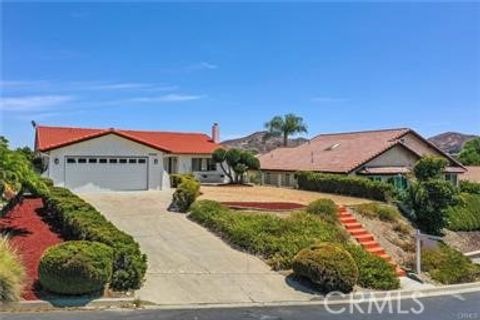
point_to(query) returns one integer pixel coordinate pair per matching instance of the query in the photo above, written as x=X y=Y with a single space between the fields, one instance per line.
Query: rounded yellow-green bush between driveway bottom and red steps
x=327 y=265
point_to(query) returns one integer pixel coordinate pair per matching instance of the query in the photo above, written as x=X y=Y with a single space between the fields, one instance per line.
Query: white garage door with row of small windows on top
x=84 y=173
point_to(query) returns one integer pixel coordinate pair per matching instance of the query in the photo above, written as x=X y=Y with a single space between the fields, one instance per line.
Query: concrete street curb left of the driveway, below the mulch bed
x=68 y=303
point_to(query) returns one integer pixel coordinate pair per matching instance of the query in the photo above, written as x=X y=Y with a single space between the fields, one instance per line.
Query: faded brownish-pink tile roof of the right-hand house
x=335 y=153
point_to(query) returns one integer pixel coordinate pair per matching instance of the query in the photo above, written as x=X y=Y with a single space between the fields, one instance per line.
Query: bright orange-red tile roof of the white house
x=48 y=138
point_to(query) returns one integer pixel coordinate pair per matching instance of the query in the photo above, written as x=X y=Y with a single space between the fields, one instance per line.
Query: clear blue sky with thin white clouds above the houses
x=343 y=67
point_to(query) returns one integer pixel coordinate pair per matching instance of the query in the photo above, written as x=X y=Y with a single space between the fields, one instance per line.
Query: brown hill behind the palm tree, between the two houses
x=257 y=143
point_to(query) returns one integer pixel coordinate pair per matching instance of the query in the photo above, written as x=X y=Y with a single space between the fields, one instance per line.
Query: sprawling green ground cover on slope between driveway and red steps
x=278 y=240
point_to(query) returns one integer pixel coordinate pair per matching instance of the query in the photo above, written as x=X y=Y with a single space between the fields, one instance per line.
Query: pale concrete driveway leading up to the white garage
x=187 y=263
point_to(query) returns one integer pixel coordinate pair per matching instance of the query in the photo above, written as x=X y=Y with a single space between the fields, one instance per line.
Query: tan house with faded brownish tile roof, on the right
x=386 y=155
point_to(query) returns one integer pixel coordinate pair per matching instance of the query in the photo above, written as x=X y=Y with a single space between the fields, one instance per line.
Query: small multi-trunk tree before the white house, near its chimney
x=238 y=163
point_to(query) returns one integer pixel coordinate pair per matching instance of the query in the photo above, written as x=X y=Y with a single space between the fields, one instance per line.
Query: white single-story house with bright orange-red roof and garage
x=116 y=160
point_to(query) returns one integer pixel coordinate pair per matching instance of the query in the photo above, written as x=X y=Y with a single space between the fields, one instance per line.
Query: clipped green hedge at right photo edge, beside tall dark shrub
x=465 y=216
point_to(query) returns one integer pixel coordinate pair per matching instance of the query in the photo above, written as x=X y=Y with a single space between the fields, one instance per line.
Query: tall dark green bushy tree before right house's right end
x=430 y=195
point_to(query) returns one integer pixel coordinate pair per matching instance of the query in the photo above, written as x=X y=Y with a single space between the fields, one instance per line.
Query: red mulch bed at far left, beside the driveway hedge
x=31 y=236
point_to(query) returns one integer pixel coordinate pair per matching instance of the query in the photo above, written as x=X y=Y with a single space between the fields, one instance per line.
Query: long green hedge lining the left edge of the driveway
x=78 y=220
